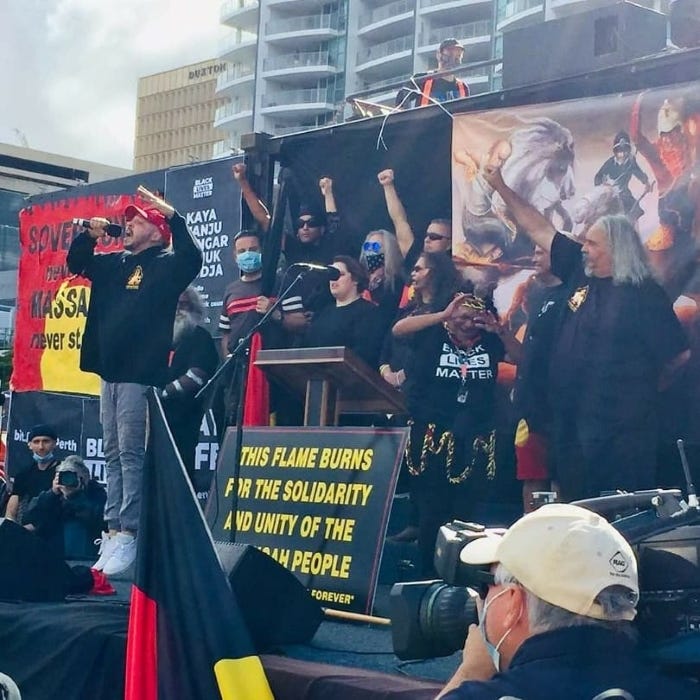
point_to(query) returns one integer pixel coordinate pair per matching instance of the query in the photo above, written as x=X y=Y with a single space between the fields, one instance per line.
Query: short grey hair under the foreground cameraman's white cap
x=542 y=616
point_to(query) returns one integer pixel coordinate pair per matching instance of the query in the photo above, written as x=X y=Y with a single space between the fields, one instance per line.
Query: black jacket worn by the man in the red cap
x=129 y=327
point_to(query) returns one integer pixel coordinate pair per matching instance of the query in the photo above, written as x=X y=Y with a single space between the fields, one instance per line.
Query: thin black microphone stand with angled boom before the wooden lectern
x=241 y=355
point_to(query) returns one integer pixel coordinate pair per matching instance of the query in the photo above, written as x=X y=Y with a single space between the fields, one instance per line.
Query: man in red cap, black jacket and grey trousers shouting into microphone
x=127 y=341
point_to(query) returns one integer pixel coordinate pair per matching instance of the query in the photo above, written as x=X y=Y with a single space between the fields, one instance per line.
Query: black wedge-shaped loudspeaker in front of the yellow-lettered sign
x=276 y=607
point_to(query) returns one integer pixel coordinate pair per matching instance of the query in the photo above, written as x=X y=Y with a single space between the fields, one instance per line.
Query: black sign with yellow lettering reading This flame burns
x=317 y=500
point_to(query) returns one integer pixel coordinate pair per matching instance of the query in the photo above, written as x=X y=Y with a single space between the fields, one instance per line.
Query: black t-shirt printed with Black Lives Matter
x=453 y=387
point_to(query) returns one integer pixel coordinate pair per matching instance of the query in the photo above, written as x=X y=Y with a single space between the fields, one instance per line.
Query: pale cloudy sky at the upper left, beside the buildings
x=69 y=68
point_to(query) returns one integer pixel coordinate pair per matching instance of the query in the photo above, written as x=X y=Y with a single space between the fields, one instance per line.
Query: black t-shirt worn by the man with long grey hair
x=612 y=344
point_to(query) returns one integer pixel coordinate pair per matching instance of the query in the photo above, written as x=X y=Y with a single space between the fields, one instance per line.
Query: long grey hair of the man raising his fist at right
x=629 y=259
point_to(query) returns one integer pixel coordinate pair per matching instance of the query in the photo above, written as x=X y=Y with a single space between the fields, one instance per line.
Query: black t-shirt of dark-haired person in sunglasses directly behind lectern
x=356 y=326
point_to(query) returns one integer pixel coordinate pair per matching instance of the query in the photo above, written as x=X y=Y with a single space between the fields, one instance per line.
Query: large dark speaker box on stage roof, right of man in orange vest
x=581 y=43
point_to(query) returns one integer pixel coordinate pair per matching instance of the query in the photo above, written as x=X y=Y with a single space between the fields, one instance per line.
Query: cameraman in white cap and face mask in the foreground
x=555 y=619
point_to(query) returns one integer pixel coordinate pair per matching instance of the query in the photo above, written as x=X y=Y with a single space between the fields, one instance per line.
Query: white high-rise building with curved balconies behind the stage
x=292 y=63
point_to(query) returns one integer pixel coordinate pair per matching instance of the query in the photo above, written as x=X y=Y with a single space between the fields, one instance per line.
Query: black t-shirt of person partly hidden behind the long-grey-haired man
x=532 y=383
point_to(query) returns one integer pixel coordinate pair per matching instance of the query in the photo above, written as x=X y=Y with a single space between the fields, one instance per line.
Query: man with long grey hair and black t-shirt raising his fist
x=617 y=344
